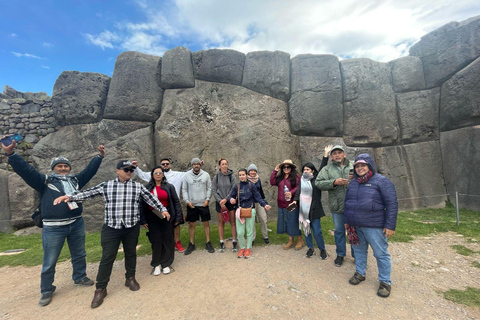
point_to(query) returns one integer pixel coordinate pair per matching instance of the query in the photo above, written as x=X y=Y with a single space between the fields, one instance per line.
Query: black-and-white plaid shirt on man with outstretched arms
x=121 y=200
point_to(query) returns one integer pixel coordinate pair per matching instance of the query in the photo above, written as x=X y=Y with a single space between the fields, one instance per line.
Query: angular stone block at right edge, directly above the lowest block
x=460 y=101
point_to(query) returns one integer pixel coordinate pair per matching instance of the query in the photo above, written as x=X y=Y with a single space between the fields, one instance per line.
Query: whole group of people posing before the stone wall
x=361 y=201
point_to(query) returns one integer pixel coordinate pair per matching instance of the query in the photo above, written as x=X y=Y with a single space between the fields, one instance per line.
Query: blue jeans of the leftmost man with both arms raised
x=53 y=238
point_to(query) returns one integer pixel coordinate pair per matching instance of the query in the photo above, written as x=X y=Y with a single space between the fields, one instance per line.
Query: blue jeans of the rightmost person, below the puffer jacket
x=378 y=241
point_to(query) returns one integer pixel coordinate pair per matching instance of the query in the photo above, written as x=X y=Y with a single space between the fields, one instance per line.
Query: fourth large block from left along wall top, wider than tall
x=216 y=65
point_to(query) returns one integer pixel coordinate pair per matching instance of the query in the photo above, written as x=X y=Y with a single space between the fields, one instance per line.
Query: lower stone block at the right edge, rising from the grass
x=460 y=153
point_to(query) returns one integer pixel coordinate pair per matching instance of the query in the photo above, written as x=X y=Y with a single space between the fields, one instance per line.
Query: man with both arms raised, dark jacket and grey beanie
x=59 y=222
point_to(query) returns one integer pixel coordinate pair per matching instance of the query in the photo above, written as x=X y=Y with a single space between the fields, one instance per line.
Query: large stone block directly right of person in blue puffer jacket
x=416 y=172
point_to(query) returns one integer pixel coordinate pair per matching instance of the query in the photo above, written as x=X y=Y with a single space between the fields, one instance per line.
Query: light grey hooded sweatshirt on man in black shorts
x=196 y=188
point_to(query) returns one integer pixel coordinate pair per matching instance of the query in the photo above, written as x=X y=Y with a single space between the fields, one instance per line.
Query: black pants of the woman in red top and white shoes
x=160 y=234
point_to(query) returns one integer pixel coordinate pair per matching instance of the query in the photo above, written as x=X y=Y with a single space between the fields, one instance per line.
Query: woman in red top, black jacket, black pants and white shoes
x=160 y=231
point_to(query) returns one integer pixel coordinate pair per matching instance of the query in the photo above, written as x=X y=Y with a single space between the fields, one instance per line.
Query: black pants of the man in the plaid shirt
x=110 y=240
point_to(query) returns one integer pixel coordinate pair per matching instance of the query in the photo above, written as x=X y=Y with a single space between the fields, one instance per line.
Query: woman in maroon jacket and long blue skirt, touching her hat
x=284 y=176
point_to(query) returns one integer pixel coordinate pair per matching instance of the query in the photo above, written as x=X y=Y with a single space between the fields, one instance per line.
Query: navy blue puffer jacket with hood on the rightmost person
x=372 y=204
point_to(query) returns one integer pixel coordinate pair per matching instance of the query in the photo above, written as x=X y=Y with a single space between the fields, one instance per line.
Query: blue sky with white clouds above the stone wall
x=40 y=39
